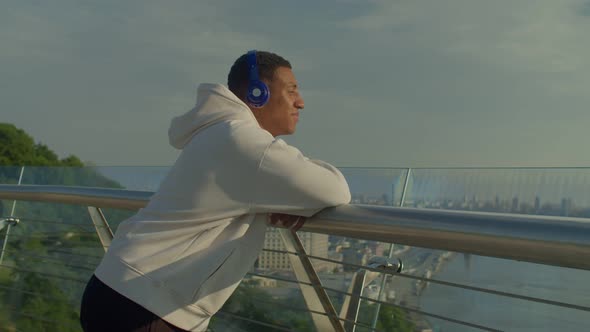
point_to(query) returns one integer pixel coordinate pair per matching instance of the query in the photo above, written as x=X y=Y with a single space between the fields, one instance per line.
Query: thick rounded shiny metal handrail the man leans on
x=559 y=241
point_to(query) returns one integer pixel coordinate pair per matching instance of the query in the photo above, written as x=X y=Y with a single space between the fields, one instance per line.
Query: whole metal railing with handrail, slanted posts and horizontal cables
x=557 y=241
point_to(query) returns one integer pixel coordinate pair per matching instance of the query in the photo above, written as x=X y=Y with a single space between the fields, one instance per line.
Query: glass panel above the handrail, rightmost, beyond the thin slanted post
x=556 y=191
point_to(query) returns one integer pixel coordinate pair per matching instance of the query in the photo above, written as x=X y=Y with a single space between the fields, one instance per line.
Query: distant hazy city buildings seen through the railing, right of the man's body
x=420 y=262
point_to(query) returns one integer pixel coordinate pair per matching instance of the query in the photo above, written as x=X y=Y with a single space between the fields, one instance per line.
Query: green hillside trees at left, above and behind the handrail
x=38 y=301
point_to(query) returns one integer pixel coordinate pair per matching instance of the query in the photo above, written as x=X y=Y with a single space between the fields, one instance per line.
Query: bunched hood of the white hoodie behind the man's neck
x=215 y=103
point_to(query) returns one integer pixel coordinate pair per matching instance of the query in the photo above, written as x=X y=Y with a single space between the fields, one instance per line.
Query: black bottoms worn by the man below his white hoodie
x=104 y=309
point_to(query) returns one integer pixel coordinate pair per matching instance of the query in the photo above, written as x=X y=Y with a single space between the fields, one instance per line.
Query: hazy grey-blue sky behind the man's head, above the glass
x=386 y=83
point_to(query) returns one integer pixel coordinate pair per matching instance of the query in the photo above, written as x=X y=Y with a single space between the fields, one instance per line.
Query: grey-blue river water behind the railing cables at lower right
x=507 y=314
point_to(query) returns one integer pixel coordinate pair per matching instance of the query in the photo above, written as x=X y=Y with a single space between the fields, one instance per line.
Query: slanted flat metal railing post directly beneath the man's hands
x=315 y=296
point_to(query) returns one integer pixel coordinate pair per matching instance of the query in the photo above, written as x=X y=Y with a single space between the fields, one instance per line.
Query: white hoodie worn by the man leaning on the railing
x=182 y=256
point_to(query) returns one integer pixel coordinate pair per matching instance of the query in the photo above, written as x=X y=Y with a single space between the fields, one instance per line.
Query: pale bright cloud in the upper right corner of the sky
x=537 y=36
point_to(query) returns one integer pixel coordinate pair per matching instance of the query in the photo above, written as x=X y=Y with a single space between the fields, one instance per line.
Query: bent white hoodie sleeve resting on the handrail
x=288 y=182
